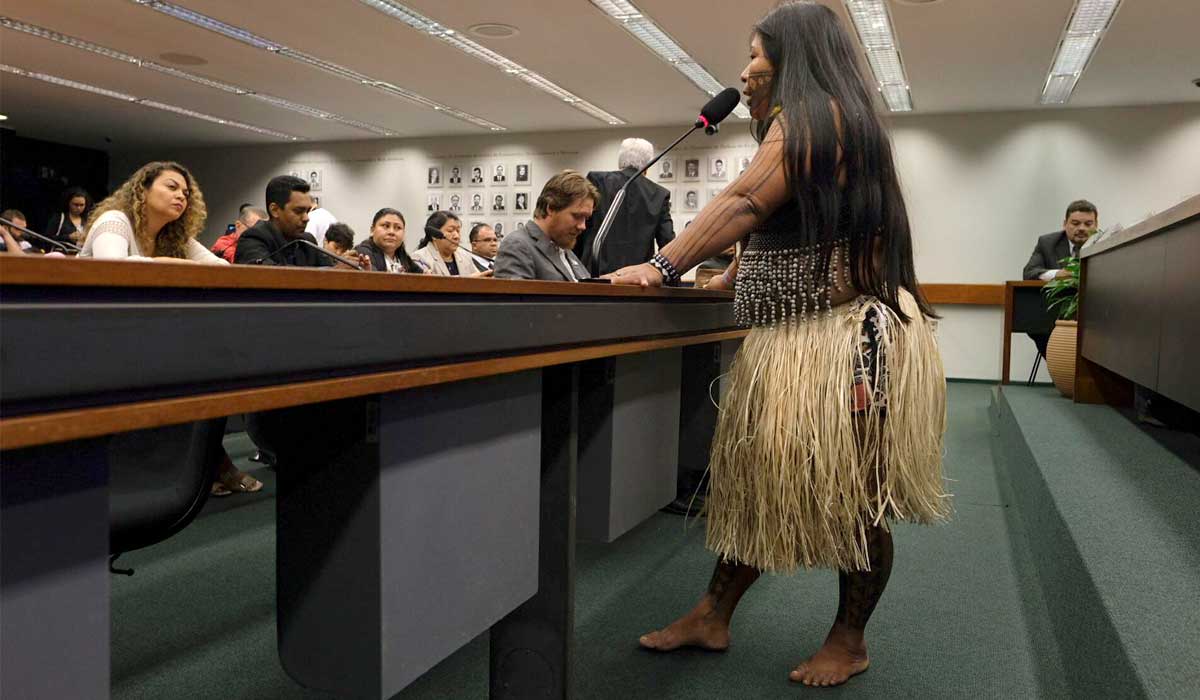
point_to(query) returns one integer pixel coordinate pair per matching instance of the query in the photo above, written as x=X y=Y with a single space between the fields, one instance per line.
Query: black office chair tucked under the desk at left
x=159 y=482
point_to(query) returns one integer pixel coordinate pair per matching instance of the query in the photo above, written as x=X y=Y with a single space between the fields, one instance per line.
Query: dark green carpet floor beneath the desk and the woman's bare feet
x=957 y=621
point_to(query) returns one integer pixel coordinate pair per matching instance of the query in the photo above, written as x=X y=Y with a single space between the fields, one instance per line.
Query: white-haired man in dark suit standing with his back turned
x=644 y=219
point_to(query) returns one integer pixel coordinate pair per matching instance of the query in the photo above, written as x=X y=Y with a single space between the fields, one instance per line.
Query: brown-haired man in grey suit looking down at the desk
x=543 y=250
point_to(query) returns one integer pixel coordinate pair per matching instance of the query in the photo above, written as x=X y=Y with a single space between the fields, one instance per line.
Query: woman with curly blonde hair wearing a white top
x=157 y=216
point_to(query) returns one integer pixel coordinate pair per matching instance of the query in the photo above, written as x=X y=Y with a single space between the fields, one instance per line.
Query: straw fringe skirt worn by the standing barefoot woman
x=797 y=474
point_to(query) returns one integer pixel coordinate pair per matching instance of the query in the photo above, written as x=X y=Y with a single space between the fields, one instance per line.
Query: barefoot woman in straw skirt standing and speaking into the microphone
x=832 y=426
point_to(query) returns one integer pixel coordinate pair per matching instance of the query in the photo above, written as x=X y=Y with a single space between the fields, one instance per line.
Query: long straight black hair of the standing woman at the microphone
x=823 y=100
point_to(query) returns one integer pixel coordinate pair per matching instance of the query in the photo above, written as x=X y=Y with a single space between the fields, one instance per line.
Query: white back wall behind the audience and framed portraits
x=980 y=188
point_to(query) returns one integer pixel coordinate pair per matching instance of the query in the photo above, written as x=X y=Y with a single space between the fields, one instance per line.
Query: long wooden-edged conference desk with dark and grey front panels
x=443 y=504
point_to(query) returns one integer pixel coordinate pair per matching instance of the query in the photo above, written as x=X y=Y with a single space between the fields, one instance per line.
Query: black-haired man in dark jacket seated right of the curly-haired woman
x=273 y=242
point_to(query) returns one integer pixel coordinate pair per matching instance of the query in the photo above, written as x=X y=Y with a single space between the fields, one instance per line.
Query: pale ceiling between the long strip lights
x=962 y=56
